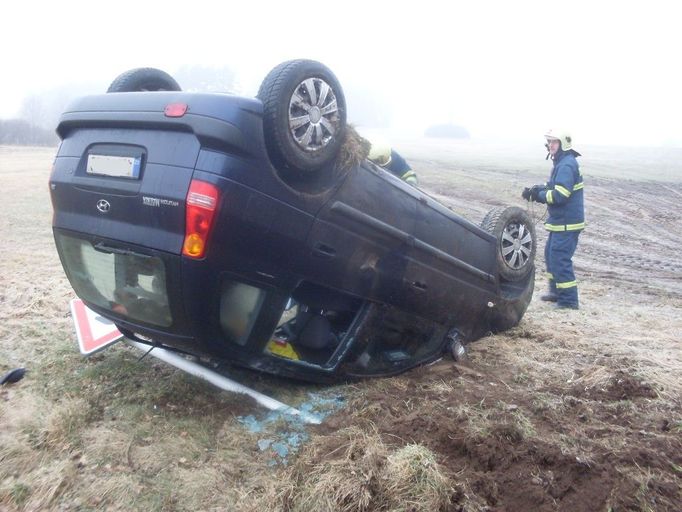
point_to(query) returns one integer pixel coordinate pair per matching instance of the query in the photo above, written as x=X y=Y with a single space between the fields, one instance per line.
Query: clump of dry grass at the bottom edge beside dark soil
x=353 y=470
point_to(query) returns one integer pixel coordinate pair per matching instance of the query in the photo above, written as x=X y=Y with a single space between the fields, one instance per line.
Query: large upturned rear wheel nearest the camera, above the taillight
x=315 y=142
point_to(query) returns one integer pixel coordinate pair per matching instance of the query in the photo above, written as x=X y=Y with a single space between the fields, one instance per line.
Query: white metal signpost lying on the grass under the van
x=221 y=381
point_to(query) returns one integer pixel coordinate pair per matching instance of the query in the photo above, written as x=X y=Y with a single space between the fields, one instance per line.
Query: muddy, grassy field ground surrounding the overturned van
x=571 y=410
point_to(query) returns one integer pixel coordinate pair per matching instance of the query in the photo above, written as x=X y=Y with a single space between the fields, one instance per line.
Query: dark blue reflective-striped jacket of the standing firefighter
x=563 y=194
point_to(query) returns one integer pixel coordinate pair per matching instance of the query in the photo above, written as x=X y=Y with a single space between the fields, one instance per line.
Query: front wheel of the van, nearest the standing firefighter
x=516 y=241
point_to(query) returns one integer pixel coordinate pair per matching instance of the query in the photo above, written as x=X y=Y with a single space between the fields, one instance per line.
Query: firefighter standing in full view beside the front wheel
x=563 y=194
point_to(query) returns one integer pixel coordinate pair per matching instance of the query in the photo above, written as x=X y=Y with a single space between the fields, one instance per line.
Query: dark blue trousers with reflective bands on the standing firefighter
x=559 y=252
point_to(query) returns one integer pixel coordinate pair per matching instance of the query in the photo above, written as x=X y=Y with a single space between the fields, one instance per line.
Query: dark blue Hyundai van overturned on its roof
x=249 y=231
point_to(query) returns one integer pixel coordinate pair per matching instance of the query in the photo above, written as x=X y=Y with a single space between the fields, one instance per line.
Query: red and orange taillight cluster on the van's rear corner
x=202 y=202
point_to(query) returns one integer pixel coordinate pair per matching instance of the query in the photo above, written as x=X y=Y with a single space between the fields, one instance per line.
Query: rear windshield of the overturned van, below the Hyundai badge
x=125 y=282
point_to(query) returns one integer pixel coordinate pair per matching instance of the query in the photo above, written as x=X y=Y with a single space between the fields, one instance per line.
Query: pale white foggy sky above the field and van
x=609 y=72
